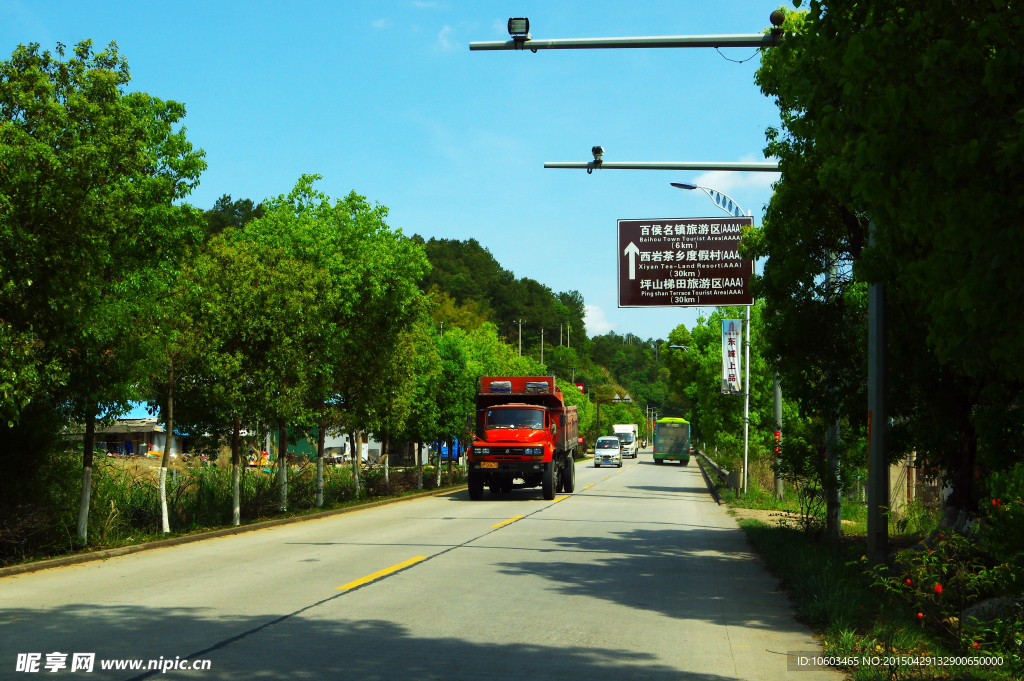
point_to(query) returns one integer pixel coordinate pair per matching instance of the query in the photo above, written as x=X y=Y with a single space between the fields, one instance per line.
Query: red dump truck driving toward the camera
x=526 y=433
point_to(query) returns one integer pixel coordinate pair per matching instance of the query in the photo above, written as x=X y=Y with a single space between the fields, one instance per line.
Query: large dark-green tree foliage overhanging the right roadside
x=902 y=114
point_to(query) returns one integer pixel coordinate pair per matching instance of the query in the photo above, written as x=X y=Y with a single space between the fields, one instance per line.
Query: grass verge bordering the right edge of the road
x=833 y=593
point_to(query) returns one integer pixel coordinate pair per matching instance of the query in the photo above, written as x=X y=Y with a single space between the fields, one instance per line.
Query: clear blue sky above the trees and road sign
x=387 y=99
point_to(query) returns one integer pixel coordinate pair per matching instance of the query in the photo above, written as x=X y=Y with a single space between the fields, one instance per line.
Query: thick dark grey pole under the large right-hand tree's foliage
x=878 y=424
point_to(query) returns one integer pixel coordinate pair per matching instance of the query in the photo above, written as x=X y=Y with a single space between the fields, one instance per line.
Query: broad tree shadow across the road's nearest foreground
x=310 y=646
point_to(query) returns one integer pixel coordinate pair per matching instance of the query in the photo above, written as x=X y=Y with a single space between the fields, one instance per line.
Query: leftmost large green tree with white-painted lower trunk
x=92 y=181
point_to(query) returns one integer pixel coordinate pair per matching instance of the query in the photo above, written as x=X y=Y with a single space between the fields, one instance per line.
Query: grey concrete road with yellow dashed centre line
x=639 y=575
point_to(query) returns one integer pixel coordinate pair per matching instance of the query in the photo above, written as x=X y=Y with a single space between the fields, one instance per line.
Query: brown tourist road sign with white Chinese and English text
x=684 y=263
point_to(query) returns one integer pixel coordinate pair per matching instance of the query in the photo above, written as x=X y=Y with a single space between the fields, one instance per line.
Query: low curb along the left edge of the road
x=189 y=539
